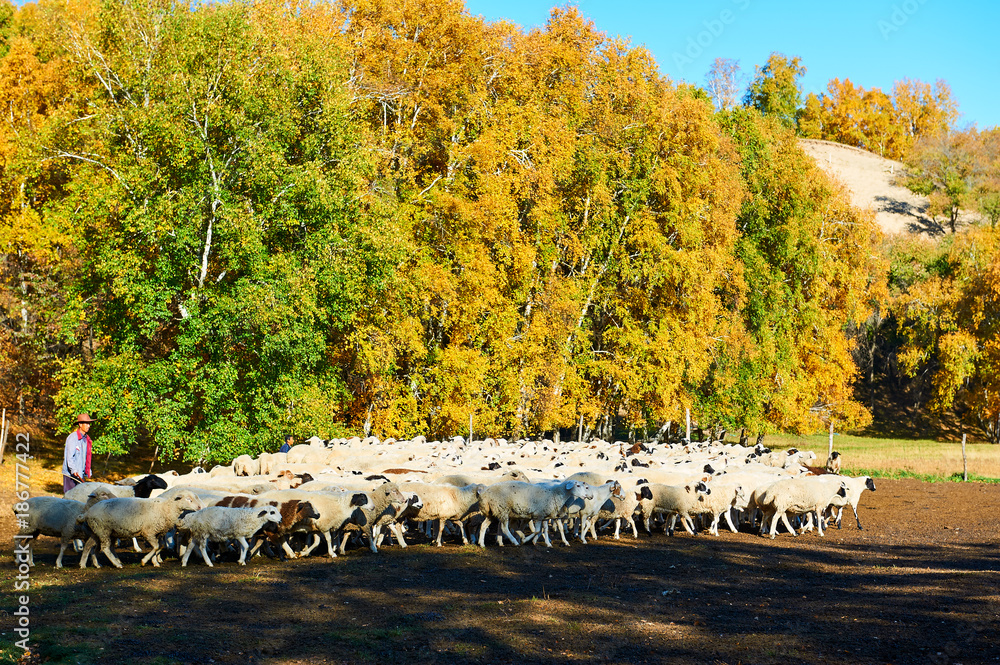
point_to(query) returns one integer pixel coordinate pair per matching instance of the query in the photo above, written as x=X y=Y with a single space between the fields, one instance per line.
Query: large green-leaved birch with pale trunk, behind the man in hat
x=224 y=246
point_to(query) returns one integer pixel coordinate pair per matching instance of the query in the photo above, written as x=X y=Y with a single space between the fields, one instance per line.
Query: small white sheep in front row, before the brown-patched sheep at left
x=217 y=524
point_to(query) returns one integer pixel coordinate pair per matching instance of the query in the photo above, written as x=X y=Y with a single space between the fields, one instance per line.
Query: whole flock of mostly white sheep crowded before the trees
x=287 y=504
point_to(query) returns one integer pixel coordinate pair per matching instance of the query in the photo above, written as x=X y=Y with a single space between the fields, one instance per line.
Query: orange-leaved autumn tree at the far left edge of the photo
x=39 y=316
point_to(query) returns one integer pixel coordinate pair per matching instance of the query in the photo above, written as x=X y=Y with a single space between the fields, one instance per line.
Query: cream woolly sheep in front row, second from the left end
x=132 y=518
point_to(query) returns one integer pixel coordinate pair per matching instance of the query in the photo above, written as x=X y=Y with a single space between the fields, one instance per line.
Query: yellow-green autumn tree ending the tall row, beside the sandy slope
x=811 y=271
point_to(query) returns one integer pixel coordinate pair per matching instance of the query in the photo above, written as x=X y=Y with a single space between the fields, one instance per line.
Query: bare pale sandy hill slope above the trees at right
x=870 y=180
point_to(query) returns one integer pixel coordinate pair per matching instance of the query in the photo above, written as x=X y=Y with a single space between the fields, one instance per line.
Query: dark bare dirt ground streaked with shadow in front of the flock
x=920 y=584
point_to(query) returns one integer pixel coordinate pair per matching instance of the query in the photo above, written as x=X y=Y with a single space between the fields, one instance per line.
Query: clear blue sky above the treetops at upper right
x=873 y=43
